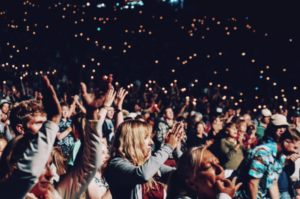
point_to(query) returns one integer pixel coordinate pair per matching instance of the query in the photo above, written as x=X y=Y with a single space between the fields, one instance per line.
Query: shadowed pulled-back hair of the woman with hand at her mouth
x=187 y=167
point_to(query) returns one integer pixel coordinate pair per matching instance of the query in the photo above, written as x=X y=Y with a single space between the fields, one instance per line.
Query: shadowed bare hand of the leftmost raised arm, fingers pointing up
x=50 y=101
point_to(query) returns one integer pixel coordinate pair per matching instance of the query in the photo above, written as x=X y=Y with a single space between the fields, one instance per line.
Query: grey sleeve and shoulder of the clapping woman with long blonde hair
x=130 y=175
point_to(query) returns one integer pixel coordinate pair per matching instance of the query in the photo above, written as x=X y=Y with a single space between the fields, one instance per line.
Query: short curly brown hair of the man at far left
x=21 y=113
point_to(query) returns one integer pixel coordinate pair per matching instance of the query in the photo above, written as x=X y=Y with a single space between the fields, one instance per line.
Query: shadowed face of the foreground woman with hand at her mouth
x=209 y=172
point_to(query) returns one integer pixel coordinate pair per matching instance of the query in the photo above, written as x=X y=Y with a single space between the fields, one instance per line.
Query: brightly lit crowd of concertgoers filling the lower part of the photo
x=93 y=148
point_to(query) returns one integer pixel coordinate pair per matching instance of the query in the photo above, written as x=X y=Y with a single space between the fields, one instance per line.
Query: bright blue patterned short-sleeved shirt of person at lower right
x=262 y=162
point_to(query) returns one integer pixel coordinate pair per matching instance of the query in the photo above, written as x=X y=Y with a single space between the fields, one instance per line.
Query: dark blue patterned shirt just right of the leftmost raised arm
x=68 y=141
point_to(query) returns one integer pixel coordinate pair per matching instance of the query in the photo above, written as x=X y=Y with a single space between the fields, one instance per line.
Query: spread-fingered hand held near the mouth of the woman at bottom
x=225 y=186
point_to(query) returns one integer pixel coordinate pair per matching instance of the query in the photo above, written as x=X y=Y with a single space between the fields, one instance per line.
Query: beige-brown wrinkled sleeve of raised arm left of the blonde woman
x=78 y=177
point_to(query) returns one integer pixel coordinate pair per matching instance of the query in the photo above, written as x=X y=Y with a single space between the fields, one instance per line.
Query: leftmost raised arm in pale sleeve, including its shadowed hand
x=33 y=160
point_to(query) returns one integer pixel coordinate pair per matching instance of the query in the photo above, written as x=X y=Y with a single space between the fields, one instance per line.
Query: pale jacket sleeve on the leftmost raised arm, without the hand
x=31 y=164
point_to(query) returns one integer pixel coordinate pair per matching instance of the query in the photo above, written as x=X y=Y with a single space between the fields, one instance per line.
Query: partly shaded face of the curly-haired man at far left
x=35 y=123
